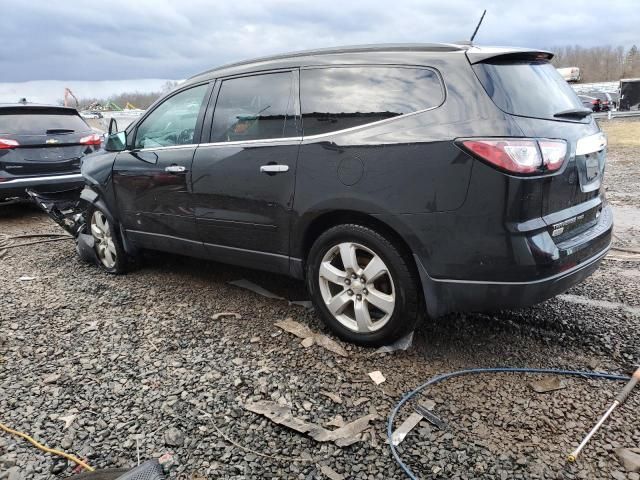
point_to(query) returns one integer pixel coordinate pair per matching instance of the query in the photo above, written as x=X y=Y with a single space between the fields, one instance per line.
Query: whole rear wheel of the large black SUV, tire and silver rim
x=363 y=285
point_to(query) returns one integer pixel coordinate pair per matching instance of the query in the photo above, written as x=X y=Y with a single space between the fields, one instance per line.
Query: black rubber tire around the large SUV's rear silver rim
x=404 y=285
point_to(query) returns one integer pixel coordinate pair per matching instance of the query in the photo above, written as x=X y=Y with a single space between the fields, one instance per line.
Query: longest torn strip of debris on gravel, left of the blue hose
x=343 y=436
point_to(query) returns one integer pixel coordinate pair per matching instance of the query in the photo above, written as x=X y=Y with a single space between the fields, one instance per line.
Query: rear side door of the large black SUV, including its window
x=244 y=178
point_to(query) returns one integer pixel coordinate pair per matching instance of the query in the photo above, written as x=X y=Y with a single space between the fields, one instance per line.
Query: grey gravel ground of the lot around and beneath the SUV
x=139 y=360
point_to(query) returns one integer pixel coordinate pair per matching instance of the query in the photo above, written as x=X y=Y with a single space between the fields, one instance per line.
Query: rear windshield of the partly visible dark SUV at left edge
x=37 y=123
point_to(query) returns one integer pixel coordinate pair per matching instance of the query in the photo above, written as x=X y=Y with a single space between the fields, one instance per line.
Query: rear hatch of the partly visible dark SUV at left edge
x=45 y=140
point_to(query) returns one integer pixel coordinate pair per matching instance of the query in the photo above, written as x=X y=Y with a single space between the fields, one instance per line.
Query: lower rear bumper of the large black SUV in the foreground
x=578 y=259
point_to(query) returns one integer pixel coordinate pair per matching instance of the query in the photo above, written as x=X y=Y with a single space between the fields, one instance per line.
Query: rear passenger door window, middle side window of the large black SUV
x=255 y=107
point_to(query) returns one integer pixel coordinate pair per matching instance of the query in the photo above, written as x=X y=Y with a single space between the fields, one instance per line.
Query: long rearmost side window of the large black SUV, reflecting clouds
x=343 y=97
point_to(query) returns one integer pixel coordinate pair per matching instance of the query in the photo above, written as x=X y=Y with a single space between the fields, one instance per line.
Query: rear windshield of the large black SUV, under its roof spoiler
x=527 y=88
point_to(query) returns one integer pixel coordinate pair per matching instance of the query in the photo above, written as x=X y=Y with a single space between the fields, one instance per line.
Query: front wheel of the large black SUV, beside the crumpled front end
x=107 y=243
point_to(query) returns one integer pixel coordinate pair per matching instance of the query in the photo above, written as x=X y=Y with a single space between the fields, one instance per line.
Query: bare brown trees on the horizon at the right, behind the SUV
x=599 y=64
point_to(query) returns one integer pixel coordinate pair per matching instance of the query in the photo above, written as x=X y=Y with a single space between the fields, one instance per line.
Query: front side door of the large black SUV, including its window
x=152 y=181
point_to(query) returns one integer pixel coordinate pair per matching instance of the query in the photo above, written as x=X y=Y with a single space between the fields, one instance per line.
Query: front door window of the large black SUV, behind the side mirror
x=172 y=122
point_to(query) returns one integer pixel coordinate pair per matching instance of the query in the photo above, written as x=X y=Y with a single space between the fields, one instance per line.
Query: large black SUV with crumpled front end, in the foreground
x=396 y=180
